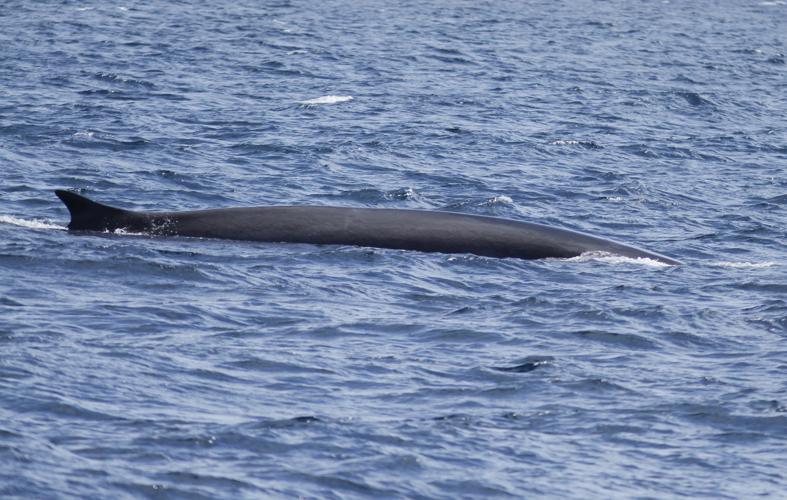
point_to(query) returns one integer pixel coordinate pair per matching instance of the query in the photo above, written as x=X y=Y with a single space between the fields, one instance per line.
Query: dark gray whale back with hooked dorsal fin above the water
x=421 y=230
